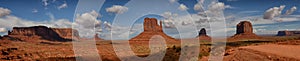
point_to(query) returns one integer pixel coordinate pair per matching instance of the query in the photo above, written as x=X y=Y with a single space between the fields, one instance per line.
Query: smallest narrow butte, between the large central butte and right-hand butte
x=203 y=36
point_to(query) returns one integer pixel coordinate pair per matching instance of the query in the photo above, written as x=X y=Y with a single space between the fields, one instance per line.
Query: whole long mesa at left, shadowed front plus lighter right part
x=35 y=33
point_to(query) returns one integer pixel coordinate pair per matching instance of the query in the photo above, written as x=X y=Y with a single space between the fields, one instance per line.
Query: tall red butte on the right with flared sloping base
x=244 y=30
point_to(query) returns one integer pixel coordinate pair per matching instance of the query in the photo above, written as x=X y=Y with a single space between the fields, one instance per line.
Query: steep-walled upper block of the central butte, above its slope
x=150 y=25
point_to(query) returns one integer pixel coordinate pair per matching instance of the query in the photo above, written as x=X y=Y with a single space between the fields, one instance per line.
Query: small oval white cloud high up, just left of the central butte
x=117 y=9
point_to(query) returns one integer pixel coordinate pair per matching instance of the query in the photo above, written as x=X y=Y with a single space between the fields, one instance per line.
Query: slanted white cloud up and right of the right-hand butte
x=273 y=12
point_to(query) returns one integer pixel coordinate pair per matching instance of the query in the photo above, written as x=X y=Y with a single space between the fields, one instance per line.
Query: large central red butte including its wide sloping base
x=151 y=28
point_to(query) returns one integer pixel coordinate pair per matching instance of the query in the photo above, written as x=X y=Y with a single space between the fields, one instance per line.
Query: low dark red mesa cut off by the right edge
x=288 y=33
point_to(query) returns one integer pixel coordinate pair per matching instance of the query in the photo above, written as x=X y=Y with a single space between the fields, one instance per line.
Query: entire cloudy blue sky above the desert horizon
x=123 y=19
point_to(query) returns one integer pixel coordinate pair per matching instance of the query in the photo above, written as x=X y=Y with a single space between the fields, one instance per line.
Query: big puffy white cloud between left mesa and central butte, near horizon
x=87 y=23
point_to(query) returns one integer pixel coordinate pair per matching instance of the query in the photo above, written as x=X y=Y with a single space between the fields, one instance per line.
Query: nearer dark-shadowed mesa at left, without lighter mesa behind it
x=35 y=33
